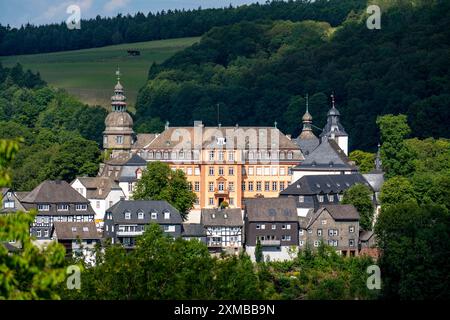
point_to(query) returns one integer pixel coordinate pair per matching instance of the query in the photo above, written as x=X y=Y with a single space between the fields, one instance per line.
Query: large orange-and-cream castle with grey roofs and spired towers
x=223 y=163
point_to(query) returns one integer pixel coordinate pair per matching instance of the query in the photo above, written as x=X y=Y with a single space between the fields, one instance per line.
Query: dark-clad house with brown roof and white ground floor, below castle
x=274 y=223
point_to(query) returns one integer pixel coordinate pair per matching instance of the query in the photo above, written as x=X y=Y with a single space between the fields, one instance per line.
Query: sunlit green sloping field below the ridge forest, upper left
x=90 y=74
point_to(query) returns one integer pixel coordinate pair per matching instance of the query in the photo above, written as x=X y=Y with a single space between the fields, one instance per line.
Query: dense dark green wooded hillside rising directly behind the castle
x=260 y=72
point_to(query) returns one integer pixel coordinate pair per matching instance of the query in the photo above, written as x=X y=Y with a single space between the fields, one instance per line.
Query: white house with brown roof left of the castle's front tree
x=102 y=193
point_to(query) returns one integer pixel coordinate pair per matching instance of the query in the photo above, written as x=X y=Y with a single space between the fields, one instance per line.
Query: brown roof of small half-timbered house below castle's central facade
x=224 y=217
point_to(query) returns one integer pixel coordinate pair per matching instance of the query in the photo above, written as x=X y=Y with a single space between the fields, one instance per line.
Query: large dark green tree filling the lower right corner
x=415 y=242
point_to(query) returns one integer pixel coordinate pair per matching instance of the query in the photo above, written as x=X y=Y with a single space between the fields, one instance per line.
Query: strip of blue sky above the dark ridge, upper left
x=18 y=12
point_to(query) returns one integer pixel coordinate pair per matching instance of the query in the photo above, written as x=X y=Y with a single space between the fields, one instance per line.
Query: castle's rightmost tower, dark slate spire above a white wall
x=334 y=129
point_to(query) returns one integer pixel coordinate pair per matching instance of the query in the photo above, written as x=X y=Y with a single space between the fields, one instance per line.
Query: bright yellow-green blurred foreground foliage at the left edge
x=29 y=273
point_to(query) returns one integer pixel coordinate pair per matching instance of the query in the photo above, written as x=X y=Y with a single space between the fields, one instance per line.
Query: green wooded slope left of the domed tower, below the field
x=55 y=127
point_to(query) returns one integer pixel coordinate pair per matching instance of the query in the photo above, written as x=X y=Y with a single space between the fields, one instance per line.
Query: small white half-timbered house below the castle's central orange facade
x=224 y=229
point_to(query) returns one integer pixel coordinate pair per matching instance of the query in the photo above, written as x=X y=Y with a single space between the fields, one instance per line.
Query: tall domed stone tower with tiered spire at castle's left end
x=118 y=134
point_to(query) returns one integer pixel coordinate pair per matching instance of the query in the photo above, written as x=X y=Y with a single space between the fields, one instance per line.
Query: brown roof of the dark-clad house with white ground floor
x=271 y=209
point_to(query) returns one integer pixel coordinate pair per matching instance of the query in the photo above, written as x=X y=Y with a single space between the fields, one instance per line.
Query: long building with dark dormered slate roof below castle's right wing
x=314 y=191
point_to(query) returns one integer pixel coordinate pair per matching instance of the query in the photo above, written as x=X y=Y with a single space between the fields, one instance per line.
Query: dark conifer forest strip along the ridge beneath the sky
x=100 y=32
